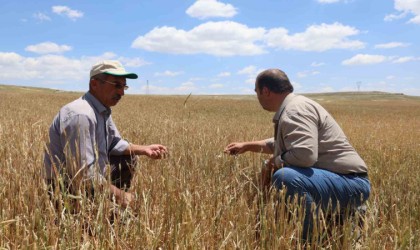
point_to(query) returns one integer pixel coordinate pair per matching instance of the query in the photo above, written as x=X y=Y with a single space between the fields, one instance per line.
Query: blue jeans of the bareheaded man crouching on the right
x=318 y=186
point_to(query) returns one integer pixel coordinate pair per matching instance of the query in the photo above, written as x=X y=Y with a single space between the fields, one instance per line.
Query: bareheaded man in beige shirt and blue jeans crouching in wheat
x=312 y=157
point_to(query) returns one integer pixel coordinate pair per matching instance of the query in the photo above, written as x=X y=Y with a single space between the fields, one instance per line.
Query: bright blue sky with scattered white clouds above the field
x=214 y=47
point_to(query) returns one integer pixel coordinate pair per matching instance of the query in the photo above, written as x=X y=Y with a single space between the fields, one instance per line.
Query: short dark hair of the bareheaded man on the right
x=275 y=80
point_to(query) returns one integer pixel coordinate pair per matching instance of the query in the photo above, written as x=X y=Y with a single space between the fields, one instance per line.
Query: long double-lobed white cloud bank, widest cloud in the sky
x=227 y=38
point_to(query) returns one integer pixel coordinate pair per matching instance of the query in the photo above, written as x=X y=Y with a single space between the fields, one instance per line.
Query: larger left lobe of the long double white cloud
x=215 y=38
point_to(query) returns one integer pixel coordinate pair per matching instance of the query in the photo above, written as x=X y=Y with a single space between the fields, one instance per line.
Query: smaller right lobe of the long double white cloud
x=315 y=38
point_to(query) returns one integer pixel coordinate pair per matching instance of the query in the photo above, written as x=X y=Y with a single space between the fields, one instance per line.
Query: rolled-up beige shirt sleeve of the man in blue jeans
x=300 y=136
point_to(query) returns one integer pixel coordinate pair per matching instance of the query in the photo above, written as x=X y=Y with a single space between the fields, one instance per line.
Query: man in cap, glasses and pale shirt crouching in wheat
x=85 y=145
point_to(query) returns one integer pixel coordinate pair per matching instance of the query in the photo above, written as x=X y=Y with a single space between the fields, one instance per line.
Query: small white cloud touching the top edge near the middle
x=203 y=9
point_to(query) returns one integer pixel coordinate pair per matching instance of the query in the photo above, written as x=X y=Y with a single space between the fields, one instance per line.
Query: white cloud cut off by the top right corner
x=406 y=7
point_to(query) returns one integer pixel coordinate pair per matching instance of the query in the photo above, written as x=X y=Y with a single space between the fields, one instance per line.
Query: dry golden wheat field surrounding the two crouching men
x=200 y=198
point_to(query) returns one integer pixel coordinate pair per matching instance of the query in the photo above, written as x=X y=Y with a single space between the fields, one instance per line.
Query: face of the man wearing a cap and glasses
x=108 y=90
